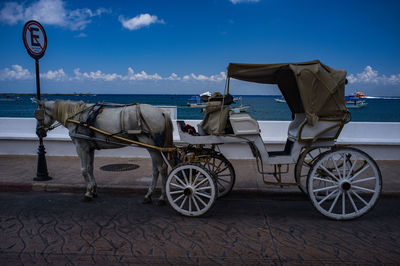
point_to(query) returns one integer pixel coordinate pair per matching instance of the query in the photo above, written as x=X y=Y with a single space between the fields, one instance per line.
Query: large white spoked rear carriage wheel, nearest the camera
x=344 y=183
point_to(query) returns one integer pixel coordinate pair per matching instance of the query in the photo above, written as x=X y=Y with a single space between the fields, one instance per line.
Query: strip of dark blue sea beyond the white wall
x=378 y=109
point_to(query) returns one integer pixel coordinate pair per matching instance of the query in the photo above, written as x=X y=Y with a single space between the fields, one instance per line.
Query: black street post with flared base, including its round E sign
x=35 y=41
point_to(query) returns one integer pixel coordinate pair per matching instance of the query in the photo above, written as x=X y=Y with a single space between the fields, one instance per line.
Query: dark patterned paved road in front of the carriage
x=241 y=229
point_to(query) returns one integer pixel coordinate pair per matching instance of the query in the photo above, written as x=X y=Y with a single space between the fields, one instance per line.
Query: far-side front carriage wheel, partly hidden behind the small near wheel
x=223 y=172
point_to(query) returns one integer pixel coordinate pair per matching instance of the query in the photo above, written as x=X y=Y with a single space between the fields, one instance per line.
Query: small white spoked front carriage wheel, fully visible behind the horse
x=191 y=189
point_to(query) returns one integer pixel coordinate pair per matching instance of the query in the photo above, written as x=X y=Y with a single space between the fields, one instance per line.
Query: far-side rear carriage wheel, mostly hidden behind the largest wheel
x=303 y=166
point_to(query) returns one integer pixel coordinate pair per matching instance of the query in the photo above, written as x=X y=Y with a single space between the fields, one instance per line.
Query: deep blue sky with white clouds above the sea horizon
x=185 y=46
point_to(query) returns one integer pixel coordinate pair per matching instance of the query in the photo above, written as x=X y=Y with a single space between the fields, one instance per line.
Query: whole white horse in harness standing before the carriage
x=143 y=123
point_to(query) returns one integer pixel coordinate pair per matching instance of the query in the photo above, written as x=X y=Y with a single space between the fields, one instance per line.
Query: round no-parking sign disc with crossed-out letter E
x=35 y=39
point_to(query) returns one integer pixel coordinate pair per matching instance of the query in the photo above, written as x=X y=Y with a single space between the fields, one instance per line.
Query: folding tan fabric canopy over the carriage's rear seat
x=308 y=87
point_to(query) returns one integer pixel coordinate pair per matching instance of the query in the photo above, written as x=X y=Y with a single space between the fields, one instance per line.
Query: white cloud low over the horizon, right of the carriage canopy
x=370 y=75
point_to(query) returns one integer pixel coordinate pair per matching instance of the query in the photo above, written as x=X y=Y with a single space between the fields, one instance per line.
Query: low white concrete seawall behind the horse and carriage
x=380 y=140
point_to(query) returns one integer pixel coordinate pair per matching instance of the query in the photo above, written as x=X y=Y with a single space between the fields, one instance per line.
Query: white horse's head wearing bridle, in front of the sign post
x=44 y=116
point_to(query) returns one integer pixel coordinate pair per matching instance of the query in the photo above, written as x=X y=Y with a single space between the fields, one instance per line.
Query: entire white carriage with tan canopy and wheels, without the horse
x=342 y=182
